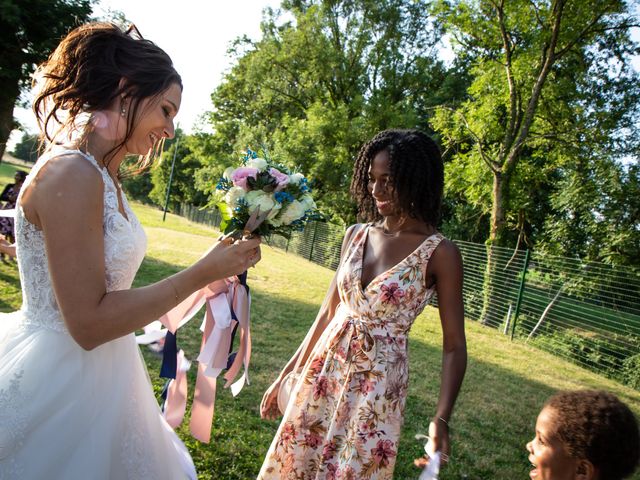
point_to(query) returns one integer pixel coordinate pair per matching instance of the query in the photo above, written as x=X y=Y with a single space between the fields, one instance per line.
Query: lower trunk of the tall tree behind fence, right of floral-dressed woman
x=492 y=311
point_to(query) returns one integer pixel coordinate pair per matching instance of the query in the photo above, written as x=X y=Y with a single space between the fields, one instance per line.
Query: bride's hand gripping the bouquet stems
x=227 y=258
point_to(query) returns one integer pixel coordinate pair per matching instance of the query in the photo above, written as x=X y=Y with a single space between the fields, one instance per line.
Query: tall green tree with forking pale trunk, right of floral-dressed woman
x=552 y=80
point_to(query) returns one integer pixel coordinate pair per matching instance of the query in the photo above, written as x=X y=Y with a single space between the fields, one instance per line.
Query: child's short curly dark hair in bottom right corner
x=595 y=425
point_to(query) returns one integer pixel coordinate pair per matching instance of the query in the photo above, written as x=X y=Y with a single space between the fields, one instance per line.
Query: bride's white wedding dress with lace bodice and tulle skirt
x=67 y=413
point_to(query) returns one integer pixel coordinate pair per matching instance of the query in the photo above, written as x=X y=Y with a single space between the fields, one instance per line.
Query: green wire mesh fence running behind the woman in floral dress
x=585 y=312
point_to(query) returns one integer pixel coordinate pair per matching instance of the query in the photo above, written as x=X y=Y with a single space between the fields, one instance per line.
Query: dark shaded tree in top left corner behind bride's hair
x=29 y=31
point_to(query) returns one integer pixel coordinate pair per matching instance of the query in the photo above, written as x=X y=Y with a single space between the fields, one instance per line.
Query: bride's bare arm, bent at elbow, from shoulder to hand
x=66 y=202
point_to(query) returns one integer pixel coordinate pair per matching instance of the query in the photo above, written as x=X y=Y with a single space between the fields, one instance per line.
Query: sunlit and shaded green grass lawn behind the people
x=506 y=382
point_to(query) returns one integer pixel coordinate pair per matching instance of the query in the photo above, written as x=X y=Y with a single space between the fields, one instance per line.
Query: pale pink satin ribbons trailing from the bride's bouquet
x=218 y=297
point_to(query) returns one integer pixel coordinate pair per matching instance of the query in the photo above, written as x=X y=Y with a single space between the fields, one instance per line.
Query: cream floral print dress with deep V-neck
x=348 y=407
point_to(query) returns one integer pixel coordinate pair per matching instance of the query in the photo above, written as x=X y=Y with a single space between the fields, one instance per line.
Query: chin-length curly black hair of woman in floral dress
x=417 y=175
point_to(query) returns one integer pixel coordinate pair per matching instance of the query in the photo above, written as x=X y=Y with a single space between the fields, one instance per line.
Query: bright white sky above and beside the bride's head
x=195 y=33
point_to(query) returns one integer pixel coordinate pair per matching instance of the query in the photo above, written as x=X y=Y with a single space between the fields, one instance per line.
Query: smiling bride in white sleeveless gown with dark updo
x=75 y=398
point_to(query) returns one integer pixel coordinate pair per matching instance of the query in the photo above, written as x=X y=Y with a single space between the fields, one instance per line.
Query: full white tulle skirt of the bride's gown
x=67 y=413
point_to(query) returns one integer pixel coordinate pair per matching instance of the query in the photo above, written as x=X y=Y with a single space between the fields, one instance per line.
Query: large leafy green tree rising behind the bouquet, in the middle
x=315 y=87
